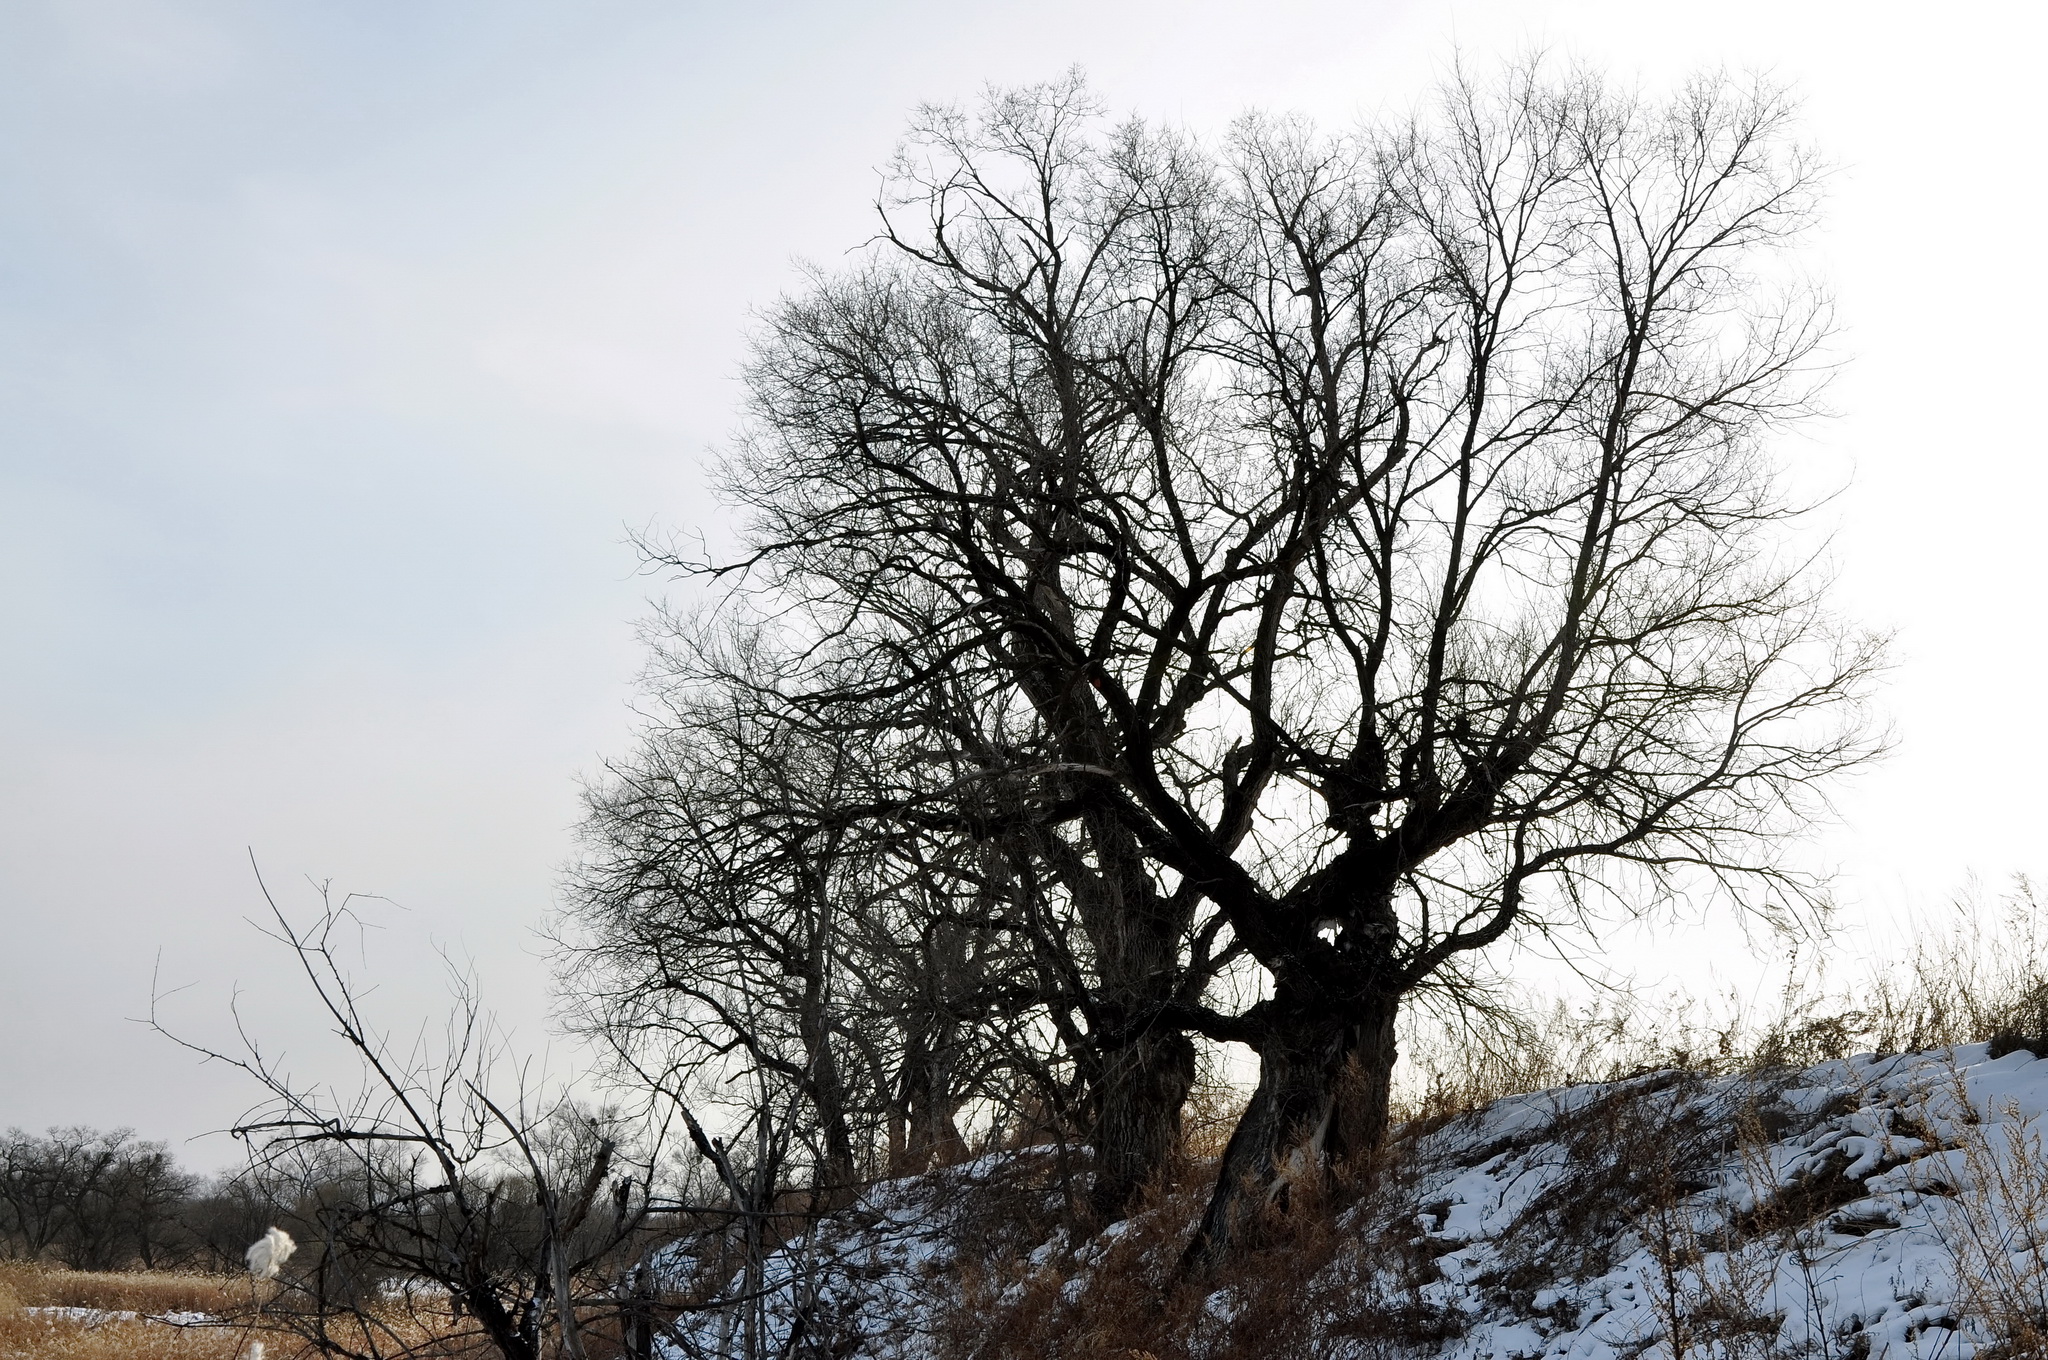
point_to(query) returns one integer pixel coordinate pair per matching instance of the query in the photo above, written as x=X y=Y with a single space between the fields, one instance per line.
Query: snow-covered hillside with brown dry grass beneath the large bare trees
x=1875 y=1209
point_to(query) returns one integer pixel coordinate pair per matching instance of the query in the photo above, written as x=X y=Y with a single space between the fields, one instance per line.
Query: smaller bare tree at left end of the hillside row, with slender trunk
x=710 y=923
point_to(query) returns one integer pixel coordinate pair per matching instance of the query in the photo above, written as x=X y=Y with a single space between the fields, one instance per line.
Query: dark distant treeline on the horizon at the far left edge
x=105 y=1199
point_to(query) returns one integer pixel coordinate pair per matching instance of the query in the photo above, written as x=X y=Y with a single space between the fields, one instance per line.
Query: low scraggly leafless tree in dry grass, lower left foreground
x=450 y=1179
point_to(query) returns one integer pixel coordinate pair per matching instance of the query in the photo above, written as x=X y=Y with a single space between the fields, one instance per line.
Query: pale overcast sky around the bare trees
x=341 y=345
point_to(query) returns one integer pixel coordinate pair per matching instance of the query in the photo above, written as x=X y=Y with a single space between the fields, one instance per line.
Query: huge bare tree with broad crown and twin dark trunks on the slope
x=1342 y=554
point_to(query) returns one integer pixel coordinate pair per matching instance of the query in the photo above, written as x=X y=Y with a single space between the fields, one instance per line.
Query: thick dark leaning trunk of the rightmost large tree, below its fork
x=1324 y=1095
